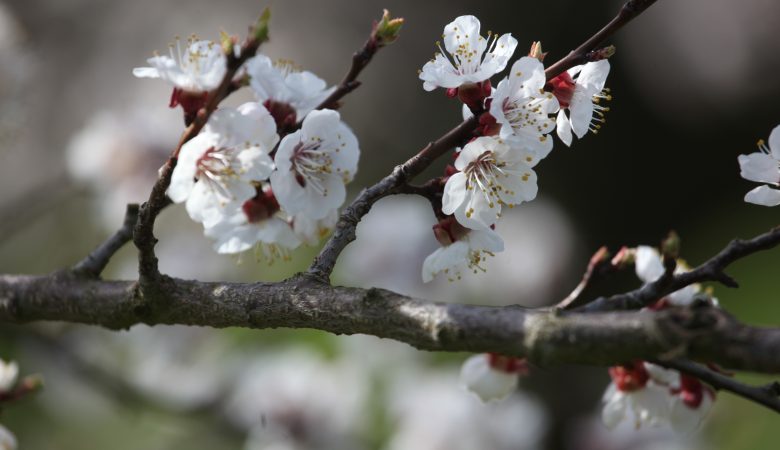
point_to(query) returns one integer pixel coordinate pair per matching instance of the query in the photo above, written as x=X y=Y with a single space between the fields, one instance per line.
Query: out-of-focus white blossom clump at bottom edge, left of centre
x=296 y=395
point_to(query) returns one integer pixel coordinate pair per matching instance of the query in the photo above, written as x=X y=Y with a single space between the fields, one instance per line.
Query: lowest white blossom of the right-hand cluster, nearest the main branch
x=465 y=250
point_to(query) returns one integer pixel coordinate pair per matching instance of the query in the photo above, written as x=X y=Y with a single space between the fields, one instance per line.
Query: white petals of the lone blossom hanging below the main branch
x=487 y=383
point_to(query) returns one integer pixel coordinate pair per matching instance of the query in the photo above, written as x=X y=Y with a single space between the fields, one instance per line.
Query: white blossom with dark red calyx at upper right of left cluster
x=282 y=84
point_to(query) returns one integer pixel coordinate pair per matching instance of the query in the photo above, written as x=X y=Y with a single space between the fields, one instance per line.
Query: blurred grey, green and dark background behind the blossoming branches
x=693 y=87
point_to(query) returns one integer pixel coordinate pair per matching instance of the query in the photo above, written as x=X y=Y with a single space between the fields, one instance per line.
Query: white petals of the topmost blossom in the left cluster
x=199 y=68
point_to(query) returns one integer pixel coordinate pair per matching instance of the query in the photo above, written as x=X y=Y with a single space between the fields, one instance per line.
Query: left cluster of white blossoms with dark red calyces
x=269 y=174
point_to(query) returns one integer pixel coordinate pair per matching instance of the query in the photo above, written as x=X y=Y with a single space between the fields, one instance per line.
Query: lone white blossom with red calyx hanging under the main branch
x=491 y=376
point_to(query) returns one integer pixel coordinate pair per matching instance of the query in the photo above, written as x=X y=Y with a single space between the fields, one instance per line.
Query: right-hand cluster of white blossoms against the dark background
x=495 y=170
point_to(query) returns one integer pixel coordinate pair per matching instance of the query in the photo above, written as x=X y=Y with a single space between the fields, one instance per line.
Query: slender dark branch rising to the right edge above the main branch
x=711 y=270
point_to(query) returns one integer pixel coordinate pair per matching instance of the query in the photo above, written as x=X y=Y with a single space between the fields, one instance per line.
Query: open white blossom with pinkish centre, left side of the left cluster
x=226 y=159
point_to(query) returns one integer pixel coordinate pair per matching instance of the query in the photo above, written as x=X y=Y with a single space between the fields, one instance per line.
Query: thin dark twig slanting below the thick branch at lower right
x=763 y=395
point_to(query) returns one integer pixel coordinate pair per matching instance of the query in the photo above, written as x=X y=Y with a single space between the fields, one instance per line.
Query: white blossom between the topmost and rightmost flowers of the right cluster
x=523 y=109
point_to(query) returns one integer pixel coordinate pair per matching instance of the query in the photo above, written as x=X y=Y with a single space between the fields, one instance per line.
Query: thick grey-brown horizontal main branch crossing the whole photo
x=702 y=333
